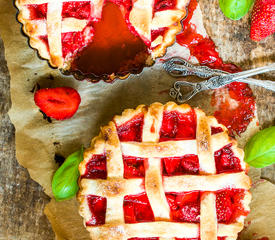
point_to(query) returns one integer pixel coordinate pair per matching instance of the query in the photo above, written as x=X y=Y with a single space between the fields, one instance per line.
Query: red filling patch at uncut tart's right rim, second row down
x=226 y=161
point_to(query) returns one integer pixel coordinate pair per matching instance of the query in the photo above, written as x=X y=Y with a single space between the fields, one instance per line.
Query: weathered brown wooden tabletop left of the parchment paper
x=22 y=200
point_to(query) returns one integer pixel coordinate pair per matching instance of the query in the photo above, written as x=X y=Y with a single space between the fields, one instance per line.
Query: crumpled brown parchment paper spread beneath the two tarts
x=37 y=140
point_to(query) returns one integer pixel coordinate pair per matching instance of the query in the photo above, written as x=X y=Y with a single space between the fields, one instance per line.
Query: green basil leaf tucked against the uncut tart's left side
x=65 y=179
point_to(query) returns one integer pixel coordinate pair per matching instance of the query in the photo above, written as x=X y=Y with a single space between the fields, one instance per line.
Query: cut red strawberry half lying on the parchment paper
x=59 y=103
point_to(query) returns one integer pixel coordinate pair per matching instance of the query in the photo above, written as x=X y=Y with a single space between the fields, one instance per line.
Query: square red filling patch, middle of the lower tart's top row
x=178 y=126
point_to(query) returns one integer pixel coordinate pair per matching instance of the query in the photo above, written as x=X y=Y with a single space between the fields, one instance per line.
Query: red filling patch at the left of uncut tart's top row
x=131 y=130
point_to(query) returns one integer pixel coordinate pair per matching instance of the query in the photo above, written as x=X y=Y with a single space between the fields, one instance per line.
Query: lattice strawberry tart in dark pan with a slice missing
x=101 y=38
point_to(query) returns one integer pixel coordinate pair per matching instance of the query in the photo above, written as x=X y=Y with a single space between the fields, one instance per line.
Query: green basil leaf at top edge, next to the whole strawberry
x=235 y=9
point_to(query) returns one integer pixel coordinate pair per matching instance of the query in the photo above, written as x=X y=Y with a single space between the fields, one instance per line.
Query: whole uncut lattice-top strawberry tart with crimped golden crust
x=164 y=172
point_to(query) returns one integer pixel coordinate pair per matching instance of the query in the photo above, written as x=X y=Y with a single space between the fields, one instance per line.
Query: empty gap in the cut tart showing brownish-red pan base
x=114 y=48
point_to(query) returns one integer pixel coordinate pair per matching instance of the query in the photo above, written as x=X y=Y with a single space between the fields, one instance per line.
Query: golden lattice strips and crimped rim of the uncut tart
x=153 y=149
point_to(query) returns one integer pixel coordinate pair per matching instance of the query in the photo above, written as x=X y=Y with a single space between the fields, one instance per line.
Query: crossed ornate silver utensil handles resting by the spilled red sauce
x=178 y=67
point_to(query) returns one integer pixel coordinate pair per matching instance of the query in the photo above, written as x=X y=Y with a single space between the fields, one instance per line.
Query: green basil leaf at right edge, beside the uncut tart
x=260 y=149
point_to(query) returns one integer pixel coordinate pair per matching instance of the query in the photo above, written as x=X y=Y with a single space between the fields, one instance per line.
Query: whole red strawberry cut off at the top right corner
x=263 y=19
